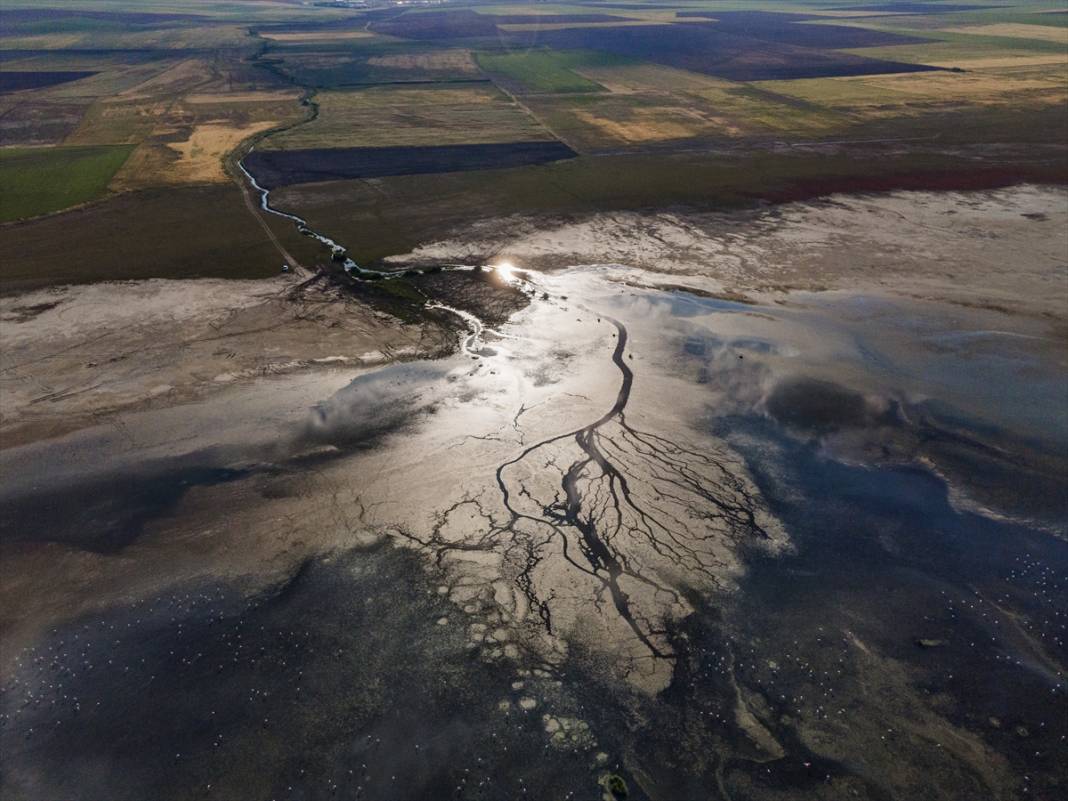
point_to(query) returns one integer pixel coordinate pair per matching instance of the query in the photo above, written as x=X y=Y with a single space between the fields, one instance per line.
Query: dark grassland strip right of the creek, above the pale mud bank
x=398 y=214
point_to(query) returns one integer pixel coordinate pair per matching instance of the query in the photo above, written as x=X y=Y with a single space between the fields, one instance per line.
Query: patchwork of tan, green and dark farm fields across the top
x=485 y=90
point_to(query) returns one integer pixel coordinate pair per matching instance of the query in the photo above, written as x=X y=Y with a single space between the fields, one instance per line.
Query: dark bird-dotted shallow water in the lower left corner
x=324 y=687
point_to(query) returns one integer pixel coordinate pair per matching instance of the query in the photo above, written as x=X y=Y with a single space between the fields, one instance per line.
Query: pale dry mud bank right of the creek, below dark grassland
x=1001 y=249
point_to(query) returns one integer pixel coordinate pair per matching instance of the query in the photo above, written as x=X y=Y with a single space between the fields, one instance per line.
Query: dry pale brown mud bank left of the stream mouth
x=75 y=355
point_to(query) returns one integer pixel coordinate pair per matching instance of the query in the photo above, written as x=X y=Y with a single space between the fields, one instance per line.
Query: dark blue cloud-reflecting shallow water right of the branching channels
x=899 y=599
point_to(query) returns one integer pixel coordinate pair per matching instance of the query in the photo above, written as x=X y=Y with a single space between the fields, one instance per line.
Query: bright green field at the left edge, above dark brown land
x=37 y=181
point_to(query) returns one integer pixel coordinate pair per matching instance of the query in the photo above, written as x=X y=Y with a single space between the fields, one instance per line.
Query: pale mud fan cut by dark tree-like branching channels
x=612 y=520
